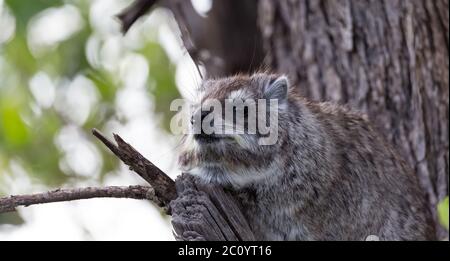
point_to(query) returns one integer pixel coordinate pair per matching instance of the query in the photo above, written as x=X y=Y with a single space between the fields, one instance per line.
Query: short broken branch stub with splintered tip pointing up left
x=163 y=185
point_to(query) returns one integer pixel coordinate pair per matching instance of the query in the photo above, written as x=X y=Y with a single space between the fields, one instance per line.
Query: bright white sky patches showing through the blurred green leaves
x=101 y=219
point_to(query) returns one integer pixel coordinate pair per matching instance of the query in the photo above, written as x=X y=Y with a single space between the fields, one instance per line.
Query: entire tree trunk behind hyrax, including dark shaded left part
x=388 y=58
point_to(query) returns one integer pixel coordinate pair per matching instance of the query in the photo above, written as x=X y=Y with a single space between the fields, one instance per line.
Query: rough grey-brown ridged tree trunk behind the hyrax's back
x=387 y=58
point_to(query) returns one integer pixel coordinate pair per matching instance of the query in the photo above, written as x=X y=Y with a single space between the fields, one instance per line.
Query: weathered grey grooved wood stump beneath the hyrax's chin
x=205 y=212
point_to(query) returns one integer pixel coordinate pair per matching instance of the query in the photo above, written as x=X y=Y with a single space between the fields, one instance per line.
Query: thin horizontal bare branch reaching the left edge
x=9 y=204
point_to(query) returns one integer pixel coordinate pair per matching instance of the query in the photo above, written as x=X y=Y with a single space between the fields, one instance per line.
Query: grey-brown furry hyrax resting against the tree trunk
x=329 y=176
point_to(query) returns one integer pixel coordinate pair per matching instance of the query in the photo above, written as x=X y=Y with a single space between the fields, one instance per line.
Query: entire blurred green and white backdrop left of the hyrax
x=65 y=68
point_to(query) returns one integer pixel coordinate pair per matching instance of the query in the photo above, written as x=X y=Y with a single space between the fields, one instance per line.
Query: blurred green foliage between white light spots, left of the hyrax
x=28 y=130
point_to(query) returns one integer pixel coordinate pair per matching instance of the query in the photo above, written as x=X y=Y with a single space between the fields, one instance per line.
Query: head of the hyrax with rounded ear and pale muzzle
x=234 y=127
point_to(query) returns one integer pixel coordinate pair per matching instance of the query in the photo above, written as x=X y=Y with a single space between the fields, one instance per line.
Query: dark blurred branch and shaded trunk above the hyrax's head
x=230 y=21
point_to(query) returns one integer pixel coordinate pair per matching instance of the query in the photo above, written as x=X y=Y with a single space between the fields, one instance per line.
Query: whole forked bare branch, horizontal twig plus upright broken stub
x=161 y=191
